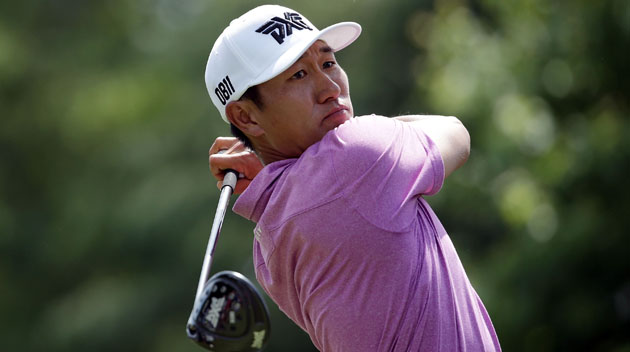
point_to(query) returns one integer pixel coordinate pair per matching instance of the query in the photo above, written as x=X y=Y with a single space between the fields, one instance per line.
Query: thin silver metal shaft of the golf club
x=229 y=182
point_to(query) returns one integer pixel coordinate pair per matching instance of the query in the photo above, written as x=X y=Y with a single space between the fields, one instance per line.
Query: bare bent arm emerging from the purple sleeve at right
x=449 y=135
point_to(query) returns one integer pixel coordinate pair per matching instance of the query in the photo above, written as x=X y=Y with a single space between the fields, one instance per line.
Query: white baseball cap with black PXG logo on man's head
x=261 y=44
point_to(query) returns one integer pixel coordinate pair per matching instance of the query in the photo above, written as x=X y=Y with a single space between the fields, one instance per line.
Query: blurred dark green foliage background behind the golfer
x=106 y=199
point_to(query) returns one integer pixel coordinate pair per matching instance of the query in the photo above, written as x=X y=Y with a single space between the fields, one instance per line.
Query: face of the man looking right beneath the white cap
x=302 y=104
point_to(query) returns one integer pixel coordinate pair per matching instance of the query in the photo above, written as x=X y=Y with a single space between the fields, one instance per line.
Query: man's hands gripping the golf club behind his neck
x=236 y=157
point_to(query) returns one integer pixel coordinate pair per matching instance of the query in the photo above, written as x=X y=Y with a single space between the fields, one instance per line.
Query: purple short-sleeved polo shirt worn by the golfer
x=351 y=252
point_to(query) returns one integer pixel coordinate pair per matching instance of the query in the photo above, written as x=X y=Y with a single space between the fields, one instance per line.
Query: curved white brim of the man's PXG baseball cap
x=337 y=36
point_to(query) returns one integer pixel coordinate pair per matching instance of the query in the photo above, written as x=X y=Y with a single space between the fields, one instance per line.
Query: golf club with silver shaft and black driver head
x=229 y=314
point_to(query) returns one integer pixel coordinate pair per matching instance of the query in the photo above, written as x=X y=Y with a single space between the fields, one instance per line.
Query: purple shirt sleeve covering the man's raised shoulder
x=384 y=165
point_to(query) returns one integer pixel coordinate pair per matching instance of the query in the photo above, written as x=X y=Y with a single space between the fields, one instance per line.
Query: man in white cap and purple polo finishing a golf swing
x=344 y=243
